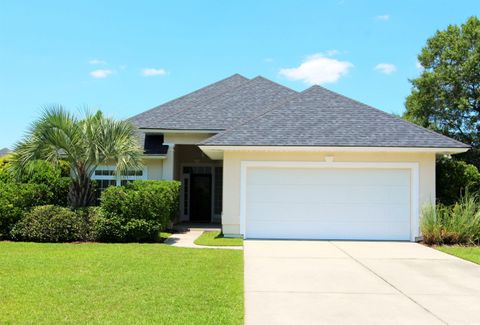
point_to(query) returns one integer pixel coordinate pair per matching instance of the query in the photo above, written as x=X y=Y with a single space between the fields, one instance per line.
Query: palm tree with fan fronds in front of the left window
x=85 y=143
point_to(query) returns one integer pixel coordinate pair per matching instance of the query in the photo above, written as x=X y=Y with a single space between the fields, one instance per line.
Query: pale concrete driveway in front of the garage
x=324 y=282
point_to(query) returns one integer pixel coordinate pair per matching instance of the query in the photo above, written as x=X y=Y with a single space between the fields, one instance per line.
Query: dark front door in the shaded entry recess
x=200 y=198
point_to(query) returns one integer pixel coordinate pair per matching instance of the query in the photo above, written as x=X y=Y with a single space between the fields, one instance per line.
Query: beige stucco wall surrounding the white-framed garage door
x=231 y=178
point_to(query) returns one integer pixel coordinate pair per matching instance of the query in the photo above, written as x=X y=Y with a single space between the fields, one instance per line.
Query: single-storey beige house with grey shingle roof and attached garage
x=266 y=161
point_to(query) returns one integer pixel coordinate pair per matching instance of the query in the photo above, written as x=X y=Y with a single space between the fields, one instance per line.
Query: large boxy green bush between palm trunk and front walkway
x=137 y=212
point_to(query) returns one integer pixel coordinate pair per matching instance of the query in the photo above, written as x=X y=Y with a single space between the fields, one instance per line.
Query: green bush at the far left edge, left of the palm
x=16 y=199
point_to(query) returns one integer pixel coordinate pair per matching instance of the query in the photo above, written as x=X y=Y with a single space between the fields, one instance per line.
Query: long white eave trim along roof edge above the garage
x=330 y=149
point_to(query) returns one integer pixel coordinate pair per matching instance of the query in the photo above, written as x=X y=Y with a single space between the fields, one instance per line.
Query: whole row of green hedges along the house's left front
x=136 y=212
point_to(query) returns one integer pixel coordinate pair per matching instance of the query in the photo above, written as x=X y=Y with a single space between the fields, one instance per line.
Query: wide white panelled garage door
x=327 y=203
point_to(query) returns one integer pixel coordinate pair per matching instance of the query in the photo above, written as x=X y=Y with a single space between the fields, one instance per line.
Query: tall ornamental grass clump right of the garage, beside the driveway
x=456 y=224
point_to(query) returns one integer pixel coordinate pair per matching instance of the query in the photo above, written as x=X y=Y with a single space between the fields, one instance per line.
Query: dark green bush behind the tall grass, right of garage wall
x=454 y=178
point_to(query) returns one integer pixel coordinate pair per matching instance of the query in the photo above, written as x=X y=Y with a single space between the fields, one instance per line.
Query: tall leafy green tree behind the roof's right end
x=446 y=96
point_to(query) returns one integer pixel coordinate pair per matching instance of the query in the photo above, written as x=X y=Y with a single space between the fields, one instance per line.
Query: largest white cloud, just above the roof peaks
x=318 y=69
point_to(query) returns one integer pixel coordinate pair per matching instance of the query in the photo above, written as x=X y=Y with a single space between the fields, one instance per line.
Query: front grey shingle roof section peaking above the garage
x=319 y=117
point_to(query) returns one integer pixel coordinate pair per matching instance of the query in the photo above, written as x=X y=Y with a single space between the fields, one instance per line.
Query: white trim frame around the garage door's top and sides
x=414 y=181
